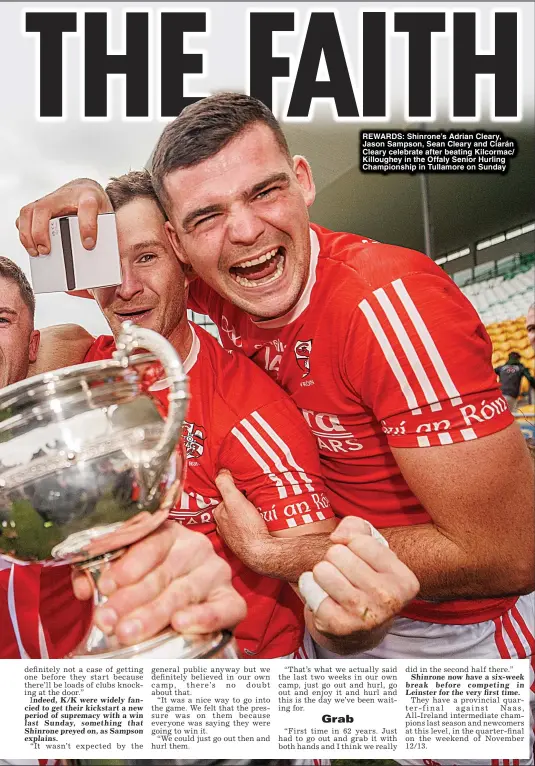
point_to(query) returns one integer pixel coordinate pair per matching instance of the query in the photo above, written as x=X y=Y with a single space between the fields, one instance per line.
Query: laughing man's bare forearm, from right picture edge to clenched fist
x=447 y=571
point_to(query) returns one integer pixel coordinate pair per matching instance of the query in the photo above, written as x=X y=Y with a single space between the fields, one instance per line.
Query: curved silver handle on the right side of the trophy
x=131 y=338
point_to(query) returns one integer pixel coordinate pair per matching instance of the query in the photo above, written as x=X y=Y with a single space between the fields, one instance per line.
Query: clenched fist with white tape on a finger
x=366 y=586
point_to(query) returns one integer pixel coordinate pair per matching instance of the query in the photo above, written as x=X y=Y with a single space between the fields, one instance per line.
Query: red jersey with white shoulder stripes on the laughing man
x=382 y=350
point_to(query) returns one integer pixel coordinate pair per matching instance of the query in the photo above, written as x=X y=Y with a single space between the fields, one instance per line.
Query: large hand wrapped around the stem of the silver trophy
x=171 y=577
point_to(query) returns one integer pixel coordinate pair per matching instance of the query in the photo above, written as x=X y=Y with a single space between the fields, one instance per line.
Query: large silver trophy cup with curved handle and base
x=88 y=466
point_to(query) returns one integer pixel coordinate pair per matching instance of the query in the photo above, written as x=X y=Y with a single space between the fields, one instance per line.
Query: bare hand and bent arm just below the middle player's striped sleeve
x=284 y=554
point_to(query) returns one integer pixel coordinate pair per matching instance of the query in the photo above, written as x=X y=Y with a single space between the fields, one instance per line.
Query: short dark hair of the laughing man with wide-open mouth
x=202 y=129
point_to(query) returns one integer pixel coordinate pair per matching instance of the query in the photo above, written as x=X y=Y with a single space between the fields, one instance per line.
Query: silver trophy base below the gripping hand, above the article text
x=167 y=645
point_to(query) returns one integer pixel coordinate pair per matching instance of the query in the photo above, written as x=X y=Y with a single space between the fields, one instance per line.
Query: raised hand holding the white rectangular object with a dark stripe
x=82 y=197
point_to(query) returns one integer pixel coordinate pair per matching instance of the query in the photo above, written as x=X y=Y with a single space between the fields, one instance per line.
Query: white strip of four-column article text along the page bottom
x=289 y=709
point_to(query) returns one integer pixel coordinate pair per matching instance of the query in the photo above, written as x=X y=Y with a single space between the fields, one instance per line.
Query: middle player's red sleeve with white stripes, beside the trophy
x=274 y=462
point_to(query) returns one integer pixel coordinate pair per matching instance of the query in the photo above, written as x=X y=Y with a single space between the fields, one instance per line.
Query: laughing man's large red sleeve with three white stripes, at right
x=420 y=358
